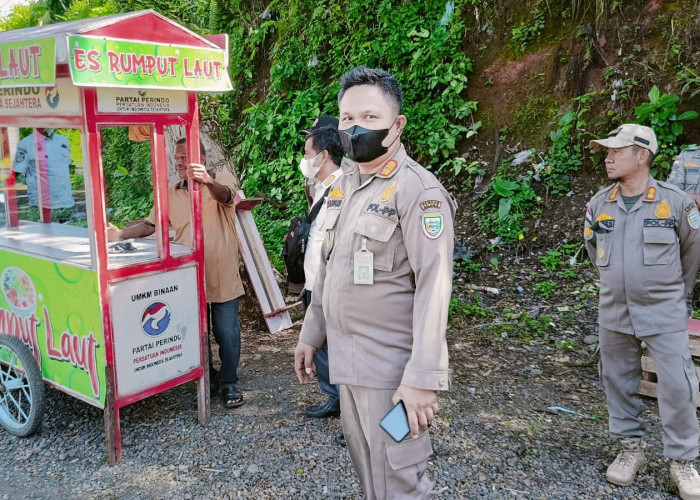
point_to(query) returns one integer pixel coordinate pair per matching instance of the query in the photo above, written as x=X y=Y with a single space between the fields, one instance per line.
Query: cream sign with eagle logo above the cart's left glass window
x=61 y=100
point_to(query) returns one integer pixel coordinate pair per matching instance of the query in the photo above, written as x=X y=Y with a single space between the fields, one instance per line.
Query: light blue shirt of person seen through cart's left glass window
x=57 y=152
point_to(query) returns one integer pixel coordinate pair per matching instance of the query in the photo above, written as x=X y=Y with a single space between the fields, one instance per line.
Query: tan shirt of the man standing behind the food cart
x=221 y=261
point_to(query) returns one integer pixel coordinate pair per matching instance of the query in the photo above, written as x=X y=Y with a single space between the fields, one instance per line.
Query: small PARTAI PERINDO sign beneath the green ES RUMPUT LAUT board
x=111 y=100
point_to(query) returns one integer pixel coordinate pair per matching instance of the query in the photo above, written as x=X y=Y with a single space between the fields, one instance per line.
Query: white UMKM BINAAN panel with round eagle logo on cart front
x=156 y=329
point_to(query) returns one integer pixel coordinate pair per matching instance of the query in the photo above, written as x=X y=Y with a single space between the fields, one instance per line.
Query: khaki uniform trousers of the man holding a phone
x=386 y=469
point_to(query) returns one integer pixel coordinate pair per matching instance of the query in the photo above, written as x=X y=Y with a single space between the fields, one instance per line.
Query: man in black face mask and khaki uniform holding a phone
x=383 y=290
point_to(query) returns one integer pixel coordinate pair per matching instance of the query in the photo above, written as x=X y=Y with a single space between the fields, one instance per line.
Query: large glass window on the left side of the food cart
x=43 y=210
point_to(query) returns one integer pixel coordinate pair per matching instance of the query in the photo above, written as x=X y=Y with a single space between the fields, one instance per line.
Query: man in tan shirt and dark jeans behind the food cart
x=221 y=262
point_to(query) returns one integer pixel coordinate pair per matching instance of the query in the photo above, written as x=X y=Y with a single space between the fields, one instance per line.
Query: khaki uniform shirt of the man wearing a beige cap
x=647 y=258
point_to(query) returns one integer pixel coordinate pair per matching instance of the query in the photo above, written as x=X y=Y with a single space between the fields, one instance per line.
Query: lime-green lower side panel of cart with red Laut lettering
x=54 y=309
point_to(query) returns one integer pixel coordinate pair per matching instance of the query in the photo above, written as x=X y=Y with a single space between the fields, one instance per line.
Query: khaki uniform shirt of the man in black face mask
x=393 y=331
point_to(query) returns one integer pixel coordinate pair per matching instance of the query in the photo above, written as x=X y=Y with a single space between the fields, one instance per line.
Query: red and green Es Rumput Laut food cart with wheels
x=108 y=325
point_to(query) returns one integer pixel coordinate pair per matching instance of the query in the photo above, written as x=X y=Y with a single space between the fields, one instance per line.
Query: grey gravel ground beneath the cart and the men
x=490 y=439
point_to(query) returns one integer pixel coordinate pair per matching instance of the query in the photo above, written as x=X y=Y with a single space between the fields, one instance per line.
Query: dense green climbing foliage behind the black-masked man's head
x=307 y=47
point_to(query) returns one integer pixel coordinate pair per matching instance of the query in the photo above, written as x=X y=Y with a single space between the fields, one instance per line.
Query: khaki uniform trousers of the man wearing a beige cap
x=621 y=371
